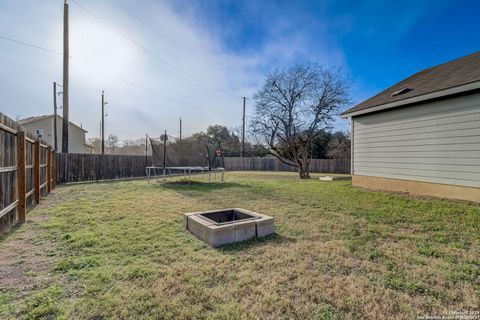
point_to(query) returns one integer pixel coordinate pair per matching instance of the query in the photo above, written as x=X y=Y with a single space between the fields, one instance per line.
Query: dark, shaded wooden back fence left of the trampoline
x=76 y=167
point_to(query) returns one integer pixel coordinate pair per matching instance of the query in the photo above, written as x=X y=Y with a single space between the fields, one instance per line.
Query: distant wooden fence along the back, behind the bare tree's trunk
x=272 y=164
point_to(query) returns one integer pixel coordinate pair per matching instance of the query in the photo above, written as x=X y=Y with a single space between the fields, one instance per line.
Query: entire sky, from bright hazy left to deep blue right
x=228 y=45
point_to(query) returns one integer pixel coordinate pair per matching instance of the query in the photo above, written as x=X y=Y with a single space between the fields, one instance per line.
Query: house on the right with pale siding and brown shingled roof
x=422 y=135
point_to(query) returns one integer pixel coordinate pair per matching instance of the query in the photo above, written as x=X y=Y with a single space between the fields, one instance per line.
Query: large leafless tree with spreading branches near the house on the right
x=291 y=108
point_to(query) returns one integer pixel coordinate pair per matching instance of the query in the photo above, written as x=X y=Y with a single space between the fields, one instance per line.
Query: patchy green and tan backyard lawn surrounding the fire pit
x=119 y=250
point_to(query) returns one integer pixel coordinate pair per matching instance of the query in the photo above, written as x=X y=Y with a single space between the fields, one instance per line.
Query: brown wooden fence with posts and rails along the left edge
x=27 y=169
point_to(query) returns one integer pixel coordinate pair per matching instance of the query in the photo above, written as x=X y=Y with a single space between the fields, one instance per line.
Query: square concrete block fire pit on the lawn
x=219 y=227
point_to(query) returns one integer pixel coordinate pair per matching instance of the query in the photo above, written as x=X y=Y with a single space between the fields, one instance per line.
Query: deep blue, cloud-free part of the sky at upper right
x=379 y=42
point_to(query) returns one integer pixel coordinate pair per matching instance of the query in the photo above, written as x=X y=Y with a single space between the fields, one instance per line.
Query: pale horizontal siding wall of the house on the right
x=433 y=142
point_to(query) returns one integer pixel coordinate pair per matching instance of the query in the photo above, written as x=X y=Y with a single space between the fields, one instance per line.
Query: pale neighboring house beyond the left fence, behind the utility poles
x=42 y=126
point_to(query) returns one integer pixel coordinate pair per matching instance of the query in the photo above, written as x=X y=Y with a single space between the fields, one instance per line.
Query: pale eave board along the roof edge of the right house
x=425 y=97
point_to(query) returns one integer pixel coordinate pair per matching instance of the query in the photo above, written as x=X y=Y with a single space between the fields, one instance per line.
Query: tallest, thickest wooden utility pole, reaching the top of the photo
x=65 y=79
